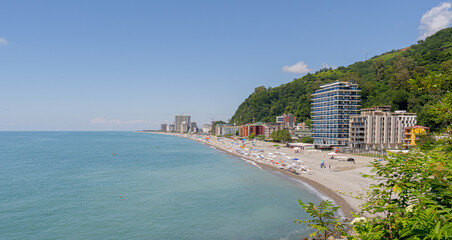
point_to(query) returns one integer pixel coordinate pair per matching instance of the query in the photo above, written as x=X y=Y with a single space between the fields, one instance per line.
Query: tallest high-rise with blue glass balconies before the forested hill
x=332 y=106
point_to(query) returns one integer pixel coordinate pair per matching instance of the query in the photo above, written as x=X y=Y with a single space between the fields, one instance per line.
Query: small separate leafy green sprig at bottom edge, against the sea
x=323 y=220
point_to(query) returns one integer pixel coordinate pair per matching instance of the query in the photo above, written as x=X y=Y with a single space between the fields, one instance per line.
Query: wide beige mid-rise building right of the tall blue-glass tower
x=379 y=128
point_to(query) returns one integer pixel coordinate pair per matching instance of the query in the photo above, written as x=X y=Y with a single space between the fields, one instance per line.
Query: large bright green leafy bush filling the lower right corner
x=413 y=195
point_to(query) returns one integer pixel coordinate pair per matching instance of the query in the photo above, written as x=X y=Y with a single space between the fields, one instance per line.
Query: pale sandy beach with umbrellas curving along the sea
x=339 y=180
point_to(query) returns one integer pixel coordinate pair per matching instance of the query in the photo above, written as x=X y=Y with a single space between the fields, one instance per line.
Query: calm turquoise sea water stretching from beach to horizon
x=69 y=185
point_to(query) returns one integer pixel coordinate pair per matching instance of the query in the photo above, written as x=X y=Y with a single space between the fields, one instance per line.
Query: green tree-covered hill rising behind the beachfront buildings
x=383 y=79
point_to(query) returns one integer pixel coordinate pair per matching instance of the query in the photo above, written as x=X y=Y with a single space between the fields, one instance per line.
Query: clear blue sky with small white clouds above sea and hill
x=131 y=65
